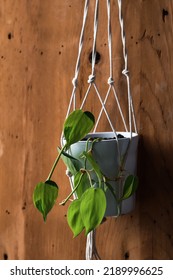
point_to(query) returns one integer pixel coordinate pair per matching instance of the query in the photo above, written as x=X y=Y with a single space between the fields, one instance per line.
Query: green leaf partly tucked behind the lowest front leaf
x=74 y=217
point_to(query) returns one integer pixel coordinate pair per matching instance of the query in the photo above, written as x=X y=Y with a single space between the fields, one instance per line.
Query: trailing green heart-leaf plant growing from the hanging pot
x=87 y=209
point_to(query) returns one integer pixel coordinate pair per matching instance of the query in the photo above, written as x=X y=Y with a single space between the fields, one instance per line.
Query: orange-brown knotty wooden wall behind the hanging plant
x=38 y=49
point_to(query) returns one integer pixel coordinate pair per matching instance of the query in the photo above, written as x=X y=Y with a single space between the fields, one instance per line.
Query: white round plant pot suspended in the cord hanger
x=105 y=153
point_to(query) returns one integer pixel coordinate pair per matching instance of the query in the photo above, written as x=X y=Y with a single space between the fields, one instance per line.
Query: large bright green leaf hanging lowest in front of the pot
x=92 y=208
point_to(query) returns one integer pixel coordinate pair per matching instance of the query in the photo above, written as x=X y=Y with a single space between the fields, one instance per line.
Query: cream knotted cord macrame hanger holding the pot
x=91 y=251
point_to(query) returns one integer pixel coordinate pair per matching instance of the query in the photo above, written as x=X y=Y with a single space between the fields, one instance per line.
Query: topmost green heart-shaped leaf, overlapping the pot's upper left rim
x=77 y=125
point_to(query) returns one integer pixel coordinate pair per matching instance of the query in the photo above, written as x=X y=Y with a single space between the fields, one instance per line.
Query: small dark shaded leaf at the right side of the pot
x=130 y=186
